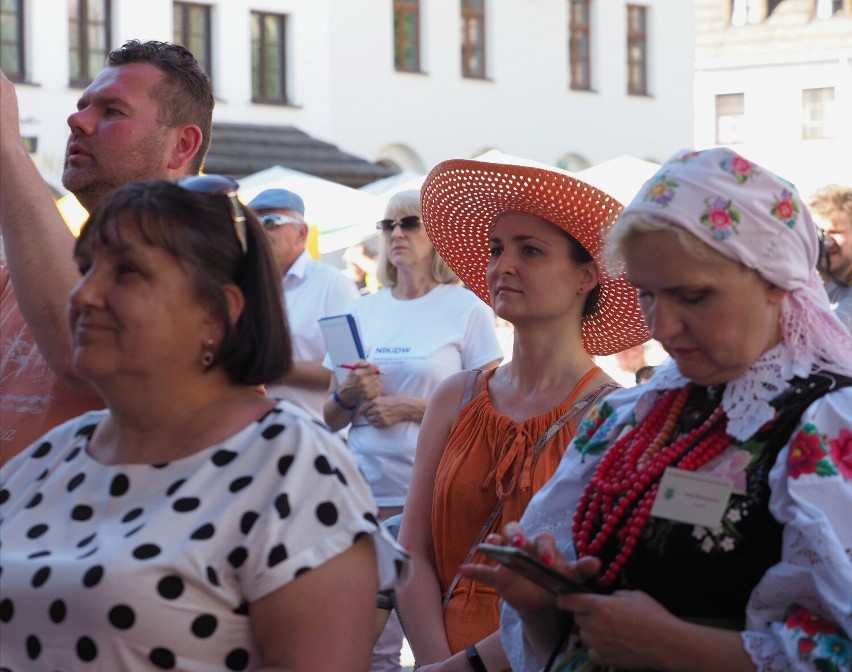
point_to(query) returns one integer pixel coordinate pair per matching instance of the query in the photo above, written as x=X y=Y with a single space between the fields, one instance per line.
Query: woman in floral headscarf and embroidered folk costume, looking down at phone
x=708 y=510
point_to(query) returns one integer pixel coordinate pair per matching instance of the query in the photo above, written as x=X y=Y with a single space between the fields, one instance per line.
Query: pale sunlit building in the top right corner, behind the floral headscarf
x=773 y=80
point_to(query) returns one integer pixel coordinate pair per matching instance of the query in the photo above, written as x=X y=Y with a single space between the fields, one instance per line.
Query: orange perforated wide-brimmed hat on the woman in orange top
x=461 y=199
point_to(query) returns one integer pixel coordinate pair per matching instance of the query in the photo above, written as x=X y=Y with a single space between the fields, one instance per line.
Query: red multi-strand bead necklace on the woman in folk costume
x=618 y=498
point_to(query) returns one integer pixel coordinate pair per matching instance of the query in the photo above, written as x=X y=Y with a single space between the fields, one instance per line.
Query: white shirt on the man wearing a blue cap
x=312 y=290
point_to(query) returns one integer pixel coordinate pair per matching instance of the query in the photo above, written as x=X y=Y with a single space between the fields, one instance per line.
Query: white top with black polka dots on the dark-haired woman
x=153 y=567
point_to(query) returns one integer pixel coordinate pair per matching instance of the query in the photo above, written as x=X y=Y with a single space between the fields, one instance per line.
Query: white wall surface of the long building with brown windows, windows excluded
x=345 y=90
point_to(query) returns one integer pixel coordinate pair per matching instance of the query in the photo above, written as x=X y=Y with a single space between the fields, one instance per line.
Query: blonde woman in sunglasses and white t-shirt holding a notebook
x=420 y=328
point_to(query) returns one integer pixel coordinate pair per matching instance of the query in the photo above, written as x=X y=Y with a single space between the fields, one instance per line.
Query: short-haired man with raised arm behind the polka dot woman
x=146 y=115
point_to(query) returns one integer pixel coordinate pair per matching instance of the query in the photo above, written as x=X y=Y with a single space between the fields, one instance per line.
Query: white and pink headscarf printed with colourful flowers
x=753 y=217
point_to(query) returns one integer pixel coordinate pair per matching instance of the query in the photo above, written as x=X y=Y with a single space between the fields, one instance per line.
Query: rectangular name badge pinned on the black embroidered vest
x=692 y=497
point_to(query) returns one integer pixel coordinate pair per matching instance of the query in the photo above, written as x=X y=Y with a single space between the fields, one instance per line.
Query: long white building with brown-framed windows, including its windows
x=405 y=83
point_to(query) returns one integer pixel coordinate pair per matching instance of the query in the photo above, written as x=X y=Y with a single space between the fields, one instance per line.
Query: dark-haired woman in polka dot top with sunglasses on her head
x=168 y=531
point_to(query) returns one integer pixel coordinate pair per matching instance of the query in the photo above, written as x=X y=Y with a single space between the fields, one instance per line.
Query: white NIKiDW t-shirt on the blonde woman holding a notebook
x=416 y=344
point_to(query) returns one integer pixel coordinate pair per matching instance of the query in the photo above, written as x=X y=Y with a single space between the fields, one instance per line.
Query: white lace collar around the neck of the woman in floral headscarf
x=745 y=400
